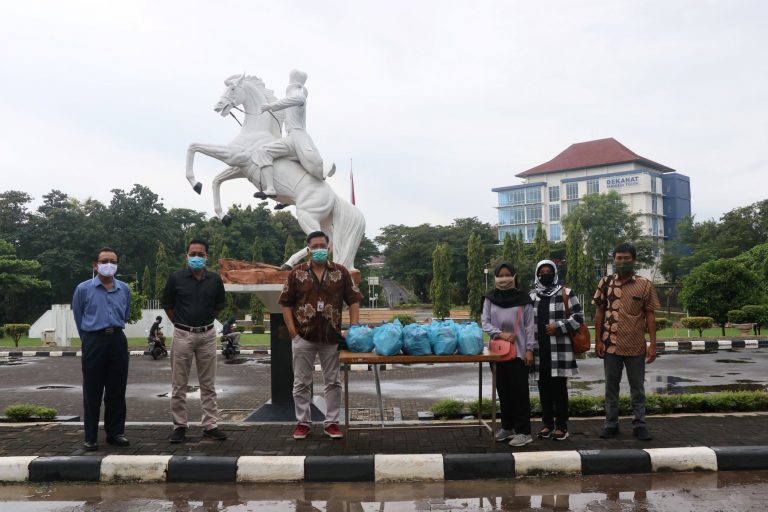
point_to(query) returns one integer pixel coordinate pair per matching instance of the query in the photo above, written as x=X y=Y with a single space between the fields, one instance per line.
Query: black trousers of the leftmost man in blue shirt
x=105 y=375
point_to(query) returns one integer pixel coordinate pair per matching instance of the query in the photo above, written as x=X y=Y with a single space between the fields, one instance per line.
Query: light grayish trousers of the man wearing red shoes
x=304 y=353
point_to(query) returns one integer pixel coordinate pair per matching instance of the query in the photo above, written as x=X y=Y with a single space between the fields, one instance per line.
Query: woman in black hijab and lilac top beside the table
x=508 y=314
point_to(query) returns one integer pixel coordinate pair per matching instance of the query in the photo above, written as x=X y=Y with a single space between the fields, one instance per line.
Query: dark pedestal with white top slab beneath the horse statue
x=281 y=407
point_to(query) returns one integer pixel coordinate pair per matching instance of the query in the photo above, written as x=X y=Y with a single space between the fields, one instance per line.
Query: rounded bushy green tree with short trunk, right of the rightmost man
x=714 y=288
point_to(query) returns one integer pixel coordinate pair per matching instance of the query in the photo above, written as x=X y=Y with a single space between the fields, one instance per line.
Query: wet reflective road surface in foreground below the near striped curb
x=677 y=492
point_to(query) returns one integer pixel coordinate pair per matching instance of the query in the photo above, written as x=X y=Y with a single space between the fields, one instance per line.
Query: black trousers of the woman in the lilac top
x=515 y=401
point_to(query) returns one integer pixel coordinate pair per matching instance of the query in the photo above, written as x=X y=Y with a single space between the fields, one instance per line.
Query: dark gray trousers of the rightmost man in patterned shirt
x=614 y=366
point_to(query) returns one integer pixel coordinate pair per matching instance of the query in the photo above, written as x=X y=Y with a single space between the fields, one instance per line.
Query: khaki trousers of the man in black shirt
x=200 y=347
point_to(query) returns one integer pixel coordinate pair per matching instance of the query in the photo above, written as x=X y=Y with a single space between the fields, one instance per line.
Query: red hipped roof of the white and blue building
x=593 y=153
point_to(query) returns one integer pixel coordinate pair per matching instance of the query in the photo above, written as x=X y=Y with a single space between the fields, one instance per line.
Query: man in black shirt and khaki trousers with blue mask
x=191 y=299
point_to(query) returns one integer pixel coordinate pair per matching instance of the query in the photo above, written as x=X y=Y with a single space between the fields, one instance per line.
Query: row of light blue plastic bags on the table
x=441 y=337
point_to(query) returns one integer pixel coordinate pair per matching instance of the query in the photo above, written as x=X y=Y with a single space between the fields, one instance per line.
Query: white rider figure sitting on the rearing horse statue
x=296 y=145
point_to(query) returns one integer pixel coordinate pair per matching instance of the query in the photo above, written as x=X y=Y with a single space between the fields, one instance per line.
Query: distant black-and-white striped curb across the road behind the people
x=669 y=346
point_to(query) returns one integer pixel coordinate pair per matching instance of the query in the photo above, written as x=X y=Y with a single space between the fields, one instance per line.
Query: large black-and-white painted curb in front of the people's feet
x=380 y=468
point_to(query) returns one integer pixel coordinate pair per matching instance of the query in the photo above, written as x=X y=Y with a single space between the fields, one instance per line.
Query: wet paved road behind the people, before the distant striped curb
x=245 y=385
